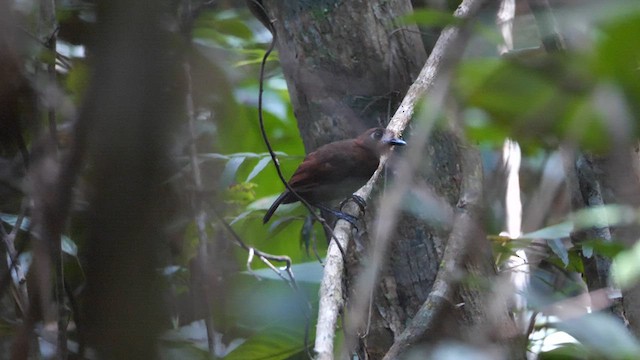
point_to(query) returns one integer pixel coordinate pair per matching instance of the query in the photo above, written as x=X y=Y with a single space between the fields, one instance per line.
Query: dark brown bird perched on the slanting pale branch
x=335 y=170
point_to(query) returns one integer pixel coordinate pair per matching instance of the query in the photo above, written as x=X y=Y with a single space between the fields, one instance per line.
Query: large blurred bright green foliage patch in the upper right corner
x=543 y=100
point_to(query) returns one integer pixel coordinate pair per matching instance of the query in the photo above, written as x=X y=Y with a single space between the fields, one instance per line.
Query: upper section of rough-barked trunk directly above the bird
x=345 y=63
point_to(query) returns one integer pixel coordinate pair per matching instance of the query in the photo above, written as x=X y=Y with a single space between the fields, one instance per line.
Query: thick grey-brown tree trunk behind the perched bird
x=347 y=65
